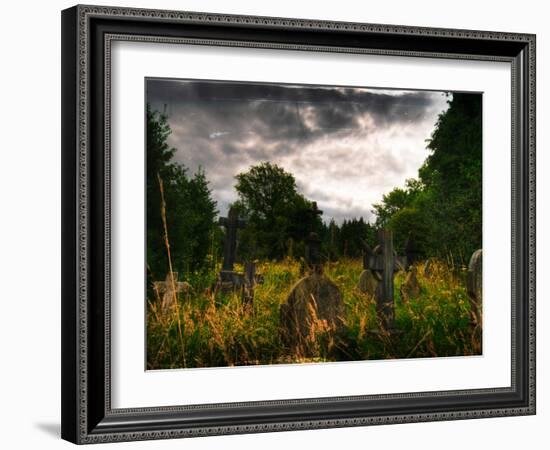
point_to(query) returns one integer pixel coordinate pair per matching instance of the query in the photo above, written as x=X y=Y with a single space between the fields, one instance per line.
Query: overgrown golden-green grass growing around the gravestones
x=211 y=329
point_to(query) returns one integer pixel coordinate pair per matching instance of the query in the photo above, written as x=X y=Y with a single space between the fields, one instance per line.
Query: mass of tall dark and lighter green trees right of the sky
x=441 y=209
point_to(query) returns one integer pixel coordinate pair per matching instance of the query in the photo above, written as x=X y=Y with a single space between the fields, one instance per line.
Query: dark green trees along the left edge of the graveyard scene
x=190 y=209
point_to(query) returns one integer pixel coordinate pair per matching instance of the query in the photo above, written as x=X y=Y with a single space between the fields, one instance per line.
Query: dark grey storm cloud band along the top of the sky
x=288 y=111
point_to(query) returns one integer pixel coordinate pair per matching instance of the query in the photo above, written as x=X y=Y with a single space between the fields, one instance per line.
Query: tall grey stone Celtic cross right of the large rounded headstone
x=384 y=262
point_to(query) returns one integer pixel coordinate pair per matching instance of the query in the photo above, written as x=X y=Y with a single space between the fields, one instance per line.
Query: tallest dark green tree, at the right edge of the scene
x=453 y=176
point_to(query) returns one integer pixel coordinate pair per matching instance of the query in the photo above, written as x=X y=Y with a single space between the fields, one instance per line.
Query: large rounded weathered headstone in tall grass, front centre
x=314 y=304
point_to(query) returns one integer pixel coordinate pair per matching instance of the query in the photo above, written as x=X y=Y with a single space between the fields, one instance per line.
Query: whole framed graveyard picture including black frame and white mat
x=279 y=224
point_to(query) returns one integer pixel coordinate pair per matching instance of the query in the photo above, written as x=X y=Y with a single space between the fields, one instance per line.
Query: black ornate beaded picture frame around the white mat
x=87 y=32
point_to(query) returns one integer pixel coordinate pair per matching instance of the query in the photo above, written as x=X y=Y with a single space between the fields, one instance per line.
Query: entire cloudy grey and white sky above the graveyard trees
x=346 y=146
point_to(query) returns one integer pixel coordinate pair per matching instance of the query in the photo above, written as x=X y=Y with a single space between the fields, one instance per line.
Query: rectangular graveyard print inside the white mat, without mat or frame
x=292 y=224
